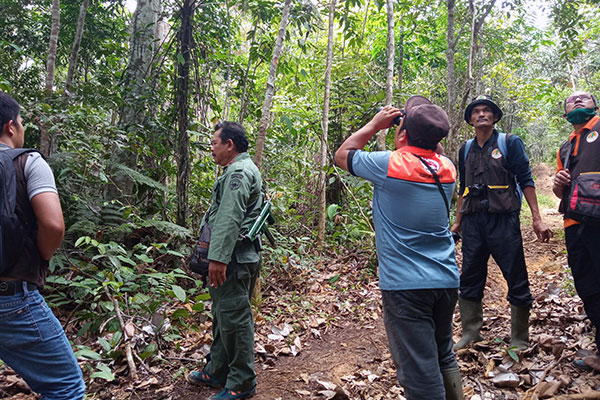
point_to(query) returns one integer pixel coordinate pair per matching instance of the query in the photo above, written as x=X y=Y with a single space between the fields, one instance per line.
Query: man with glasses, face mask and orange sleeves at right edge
x=576 y=183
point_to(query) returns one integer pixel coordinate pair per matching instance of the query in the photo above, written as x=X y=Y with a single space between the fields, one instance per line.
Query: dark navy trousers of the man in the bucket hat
x=498 y=235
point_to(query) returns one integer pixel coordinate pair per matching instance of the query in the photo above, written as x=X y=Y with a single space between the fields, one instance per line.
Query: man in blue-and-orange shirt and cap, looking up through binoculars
x=418 y=276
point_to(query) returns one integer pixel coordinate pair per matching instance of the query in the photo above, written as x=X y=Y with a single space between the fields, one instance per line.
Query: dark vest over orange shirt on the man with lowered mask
x=587 y=161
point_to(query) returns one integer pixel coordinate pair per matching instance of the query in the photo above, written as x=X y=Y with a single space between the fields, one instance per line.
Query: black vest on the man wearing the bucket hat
x=489 y=184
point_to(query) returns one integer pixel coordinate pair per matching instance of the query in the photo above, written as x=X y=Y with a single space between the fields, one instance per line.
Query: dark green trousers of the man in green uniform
x=232 y=350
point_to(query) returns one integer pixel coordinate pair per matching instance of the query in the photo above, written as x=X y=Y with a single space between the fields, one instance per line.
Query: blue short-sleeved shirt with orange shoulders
x=414 y=245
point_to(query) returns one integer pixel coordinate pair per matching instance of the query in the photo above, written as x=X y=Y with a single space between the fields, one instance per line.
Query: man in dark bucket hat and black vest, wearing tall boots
x=492 y=168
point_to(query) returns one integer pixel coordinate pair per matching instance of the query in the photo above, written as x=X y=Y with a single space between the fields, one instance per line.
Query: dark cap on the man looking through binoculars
x=426 y=125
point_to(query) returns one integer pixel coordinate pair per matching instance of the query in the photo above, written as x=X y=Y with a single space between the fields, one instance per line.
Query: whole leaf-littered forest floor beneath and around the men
x=320 y=335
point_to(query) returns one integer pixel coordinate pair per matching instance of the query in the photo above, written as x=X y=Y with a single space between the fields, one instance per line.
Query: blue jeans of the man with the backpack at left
x=33 y=343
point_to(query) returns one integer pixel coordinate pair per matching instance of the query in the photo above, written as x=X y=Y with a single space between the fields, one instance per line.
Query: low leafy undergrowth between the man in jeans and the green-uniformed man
x=105 y=273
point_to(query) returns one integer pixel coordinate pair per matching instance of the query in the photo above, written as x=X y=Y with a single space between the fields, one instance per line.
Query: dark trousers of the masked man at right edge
x=583 y=248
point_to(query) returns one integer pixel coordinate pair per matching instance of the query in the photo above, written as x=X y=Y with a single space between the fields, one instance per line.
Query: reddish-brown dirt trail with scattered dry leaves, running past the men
x=353 y=357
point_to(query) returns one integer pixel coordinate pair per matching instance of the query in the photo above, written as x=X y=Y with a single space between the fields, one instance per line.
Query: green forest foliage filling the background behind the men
x=130 y=244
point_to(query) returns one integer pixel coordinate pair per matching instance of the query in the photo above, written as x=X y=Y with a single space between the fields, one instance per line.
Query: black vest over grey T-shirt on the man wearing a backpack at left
x=30 y=267
